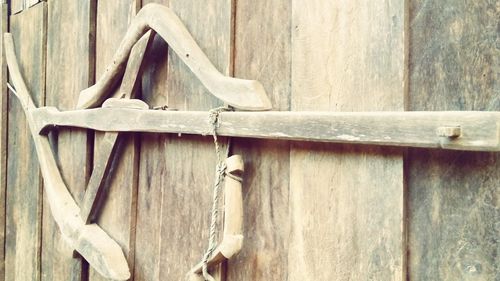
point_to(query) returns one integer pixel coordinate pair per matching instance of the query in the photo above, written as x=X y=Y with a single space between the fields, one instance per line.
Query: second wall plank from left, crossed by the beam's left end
x=69 y=70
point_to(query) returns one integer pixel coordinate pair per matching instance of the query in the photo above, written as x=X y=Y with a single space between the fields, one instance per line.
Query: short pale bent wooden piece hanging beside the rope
x=232 y=239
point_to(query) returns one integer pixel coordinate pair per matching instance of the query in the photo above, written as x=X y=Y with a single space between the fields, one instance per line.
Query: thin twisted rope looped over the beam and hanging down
x=220 y=172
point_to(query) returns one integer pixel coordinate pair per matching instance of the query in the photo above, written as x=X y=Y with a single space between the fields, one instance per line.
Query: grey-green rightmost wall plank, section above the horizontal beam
x=454 y=60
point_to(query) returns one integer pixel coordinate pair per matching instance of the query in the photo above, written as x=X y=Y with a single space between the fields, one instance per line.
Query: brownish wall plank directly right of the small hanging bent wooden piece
x=263 y=52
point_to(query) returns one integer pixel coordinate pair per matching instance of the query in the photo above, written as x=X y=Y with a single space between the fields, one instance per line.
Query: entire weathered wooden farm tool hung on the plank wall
x=449 y=130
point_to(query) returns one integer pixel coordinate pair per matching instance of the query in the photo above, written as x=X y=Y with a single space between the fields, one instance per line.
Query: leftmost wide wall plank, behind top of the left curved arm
x=24 y=185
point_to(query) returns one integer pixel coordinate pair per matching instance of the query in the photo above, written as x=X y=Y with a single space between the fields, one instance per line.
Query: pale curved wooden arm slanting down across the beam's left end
x=95 y=245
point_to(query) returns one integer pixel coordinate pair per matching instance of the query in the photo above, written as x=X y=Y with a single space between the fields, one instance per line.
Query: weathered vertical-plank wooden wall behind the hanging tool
x=312 y=211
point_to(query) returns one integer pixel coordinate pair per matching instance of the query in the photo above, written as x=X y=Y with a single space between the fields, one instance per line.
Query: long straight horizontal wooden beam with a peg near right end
x=462 y=130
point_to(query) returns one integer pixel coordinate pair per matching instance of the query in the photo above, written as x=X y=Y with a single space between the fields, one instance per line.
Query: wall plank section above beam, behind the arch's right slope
x=212 y=31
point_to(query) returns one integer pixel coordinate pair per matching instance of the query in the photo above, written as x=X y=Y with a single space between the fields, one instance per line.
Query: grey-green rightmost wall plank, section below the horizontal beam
x=453 y=215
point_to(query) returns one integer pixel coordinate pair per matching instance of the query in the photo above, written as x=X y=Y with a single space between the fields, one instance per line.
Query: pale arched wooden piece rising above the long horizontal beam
x=239 y=93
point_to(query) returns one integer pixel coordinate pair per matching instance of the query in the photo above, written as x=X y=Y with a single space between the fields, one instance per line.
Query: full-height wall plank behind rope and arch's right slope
x=210 y=26
